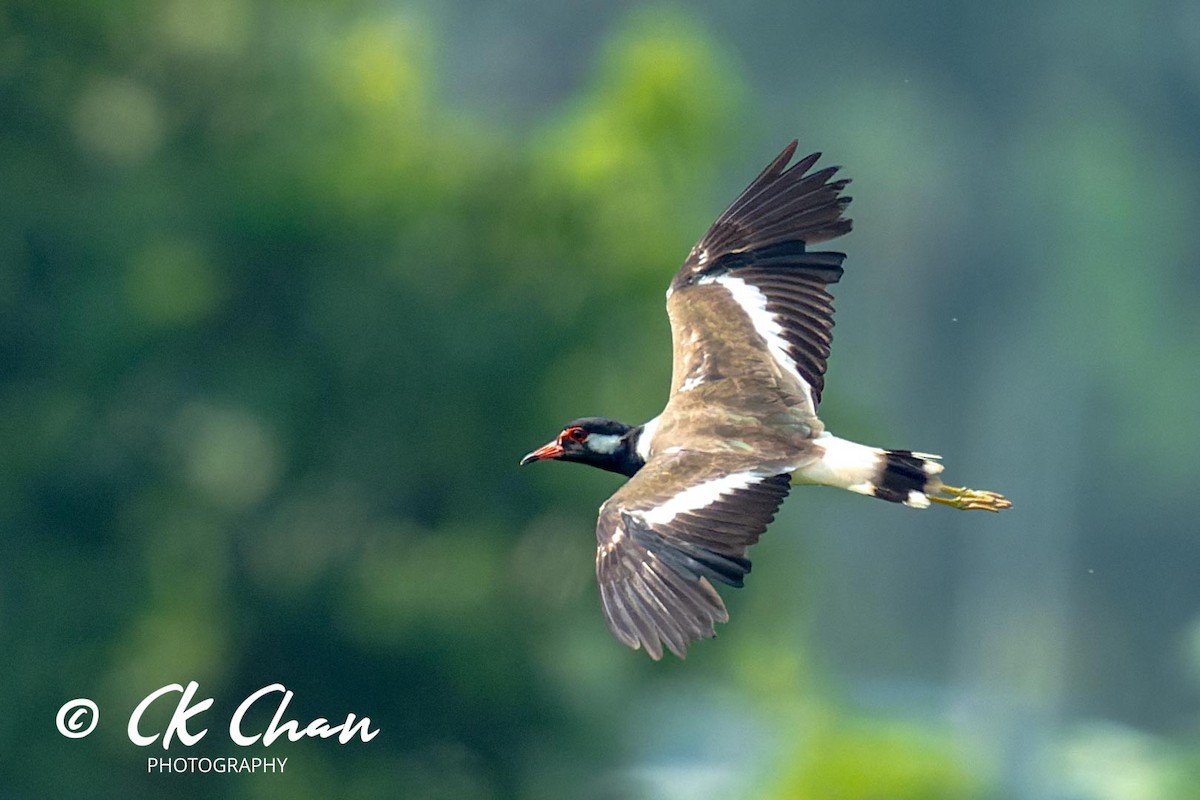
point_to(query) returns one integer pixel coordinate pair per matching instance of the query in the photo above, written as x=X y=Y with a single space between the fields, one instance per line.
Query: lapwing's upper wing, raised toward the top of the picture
x=751 y=296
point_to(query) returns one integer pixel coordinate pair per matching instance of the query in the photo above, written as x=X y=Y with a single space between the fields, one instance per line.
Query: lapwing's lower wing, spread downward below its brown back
x=683 y=522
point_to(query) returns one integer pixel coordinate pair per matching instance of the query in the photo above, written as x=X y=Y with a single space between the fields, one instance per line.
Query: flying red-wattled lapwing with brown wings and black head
x=752 y=320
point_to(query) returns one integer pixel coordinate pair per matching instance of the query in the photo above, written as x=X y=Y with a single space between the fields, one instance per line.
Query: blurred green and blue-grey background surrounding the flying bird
x=289 y=288
